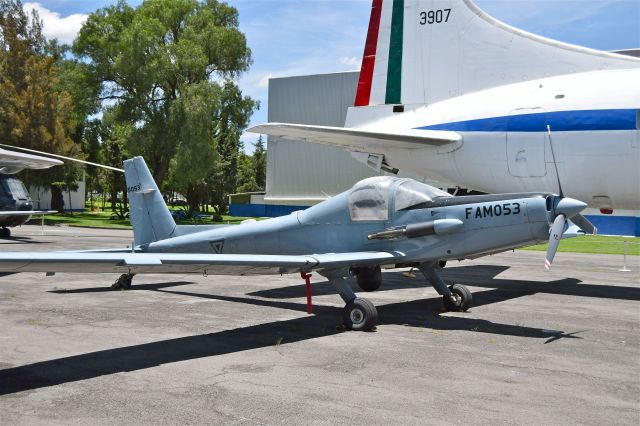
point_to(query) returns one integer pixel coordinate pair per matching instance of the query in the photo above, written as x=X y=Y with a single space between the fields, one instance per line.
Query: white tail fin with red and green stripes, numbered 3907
x=424 y=51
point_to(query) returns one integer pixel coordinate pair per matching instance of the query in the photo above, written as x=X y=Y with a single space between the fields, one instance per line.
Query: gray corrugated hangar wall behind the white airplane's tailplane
x=301 y=173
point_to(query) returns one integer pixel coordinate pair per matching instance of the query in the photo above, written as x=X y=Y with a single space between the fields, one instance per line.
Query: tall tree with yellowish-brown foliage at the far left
x=35 y=112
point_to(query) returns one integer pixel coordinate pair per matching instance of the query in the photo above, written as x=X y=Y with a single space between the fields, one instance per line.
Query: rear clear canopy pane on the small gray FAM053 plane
x=369 y=199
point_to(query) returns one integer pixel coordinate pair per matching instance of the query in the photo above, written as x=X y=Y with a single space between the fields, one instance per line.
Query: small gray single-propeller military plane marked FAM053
x=379 y=221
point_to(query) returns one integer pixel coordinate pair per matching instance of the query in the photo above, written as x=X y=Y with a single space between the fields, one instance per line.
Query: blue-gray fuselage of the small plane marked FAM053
x=472 y=225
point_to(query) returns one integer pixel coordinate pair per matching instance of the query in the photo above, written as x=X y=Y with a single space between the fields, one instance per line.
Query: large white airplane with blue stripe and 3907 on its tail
x=448 y=92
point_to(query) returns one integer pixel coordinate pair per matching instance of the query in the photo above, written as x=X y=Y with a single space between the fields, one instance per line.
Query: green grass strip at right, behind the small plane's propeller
x=597 y=244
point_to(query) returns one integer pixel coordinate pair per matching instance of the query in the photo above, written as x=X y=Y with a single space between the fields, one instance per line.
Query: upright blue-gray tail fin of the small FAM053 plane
x=150 y=217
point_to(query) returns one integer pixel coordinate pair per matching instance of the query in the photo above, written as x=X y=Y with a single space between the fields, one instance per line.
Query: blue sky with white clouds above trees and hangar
x=297 y=37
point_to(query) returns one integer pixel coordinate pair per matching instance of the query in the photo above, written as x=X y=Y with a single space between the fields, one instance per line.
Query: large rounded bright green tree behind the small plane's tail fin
x=163 y=67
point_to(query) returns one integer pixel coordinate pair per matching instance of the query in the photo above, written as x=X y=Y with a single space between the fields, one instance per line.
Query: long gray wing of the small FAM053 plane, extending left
x=215 y=264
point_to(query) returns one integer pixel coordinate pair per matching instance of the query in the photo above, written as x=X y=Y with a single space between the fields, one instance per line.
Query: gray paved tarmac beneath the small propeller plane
x=538 y=347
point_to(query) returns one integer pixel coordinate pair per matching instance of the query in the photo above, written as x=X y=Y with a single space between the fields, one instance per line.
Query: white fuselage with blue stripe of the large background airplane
x=505 y=148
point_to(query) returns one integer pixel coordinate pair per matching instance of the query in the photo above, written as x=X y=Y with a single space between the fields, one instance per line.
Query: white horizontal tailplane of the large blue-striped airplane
x=358 y=139
